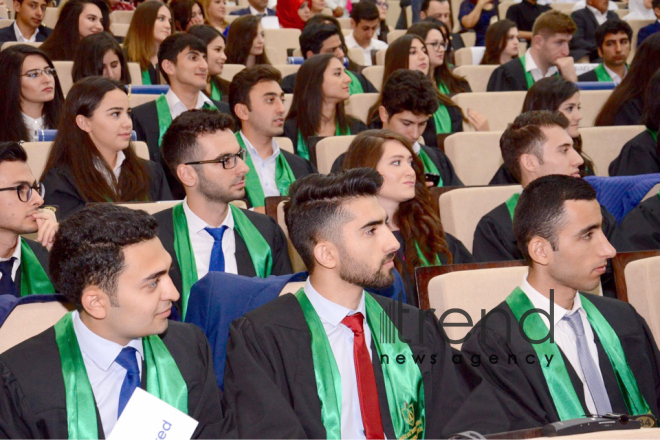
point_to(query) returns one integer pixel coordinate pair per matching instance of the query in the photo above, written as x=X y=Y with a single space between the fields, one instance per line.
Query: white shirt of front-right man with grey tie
x=564 y=336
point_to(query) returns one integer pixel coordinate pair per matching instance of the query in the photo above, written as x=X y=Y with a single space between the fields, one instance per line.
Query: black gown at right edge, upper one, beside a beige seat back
x=638 y=156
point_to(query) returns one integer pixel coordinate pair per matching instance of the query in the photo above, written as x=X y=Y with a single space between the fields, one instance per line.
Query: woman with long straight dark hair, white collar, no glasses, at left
x=92 y=158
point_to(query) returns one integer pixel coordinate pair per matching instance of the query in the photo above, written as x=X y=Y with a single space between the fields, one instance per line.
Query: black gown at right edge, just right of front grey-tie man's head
x=641 y=227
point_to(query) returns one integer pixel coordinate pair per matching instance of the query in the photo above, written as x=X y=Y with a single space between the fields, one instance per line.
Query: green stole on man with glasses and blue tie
x=258 y=248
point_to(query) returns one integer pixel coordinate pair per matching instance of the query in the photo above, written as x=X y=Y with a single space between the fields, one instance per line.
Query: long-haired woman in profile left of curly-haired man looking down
x=318 y=103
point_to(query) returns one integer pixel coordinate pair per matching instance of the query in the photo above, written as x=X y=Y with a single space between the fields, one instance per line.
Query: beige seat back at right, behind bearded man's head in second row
x=603 y=144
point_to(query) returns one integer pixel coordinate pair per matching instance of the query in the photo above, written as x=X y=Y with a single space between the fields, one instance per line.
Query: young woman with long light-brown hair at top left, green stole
x=151 y=24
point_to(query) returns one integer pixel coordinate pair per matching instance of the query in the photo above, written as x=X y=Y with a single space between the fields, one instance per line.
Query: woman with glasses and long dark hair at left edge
x=32 y=98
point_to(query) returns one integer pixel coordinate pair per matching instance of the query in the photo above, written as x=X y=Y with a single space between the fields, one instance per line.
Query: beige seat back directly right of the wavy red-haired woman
x=462 y=208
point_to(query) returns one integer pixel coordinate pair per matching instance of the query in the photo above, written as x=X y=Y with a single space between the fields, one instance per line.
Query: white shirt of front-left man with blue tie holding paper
x=105 y=375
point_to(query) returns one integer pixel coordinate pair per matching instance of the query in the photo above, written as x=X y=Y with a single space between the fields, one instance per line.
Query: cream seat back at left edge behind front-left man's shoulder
x=28 y=320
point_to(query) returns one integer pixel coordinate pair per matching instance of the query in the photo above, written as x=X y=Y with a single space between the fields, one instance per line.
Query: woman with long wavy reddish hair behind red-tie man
x=412 y=212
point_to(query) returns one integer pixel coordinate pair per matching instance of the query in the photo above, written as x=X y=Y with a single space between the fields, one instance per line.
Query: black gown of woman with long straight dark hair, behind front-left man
x=61 y=190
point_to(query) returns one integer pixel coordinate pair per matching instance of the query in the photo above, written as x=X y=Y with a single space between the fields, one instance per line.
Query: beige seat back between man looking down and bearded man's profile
x=475 y=156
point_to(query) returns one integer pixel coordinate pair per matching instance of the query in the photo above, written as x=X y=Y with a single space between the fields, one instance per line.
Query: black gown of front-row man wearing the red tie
x=270 y=381
